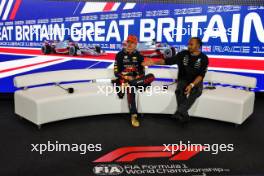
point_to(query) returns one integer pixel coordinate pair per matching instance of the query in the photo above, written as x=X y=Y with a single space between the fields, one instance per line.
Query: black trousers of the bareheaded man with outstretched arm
x=185 y=102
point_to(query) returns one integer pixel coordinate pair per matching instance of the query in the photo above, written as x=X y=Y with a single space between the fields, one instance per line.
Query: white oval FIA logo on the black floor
x=108 y=169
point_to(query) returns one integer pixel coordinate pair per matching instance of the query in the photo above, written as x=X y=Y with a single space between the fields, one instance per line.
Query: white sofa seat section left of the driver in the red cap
x=51 y=103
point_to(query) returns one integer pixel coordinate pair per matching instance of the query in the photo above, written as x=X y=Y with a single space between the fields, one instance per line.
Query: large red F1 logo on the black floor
x=130 y=154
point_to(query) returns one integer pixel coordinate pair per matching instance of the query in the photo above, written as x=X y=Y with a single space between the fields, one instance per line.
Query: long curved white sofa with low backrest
x=46 y=102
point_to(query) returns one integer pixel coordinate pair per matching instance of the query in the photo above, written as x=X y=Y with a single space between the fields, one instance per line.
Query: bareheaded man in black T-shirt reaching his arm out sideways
x=192 y=66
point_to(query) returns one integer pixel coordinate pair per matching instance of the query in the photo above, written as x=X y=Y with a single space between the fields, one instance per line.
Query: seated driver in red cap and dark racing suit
x=128 y=67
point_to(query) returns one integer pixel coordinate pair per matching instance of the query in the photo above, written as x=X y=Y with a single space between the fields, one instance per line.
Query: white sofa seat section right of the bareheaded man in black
x=225 y=104
